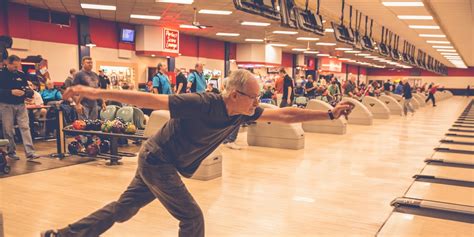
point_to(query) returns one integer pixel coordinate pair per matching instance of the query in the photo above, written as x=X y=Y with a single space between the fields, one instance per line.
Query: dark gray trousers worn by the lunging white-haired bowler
x=154 y=179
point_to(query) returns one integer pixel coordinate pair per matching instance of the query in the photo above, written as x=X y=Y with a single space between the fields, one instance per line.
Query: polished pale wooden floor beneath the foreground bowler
x=336 y=186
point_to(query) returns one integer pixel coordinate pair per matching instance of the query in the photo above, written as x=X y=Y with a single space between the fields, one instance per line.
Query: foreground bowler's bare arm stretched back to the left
x=140 y=99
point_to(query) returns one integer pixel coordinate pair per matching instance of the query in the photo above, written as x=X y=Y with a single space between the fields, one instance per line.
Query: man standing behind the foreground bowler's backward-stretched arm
x=87 y=108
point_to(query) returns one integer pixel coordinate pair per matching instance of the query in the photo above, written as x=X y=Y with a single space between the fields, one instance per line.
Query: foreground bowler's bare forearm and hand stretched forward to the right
x=297 y=115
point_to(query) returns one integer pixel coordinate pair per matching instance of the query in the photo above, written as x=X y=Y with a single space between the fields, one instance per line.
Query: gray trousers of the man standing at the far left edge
x=19 y=112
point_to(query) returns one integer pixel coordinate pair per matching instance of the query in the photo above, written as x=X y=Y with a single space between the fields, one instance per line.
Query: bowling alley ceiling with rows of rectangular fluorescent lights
x=455 y=18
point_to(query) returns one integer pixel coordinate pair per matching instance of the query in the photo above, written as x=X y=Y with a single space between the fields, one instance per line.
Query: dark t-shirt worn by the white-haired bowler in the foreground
x=199 y=124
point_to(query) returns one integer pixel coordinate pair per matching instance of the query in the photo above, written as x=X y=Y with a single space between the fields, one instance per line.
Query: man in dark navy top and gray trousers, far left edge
x=14 y=90
